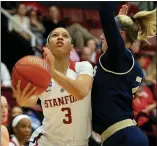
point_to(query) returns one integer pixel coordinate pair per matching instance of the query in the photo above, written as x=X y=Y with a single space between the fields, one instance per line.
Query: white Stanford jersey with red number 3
x=66 y=118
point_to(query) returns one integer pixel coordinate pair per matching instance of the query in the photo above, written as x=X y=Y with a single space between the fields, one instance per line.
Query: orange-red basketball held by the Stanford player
x=34 y=70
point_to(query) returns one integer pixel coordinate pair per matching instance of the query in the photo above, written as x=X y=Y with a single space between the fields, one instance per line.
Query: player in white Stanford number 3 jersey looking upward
x=66 y=102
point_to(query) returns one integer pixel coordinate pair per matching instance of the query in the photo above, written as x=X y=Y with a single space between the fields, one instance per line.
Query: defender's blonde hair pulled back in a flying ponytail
x=142 y=25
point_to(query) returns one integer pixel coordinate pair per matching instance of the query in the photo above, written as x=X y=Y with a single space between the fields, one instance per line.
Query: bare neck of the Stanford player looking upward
x=61 y=64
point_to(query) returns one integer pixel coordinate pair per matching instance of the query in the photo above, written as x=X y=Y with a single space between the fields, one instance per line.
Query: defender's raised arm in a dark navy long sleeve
x=116 y=46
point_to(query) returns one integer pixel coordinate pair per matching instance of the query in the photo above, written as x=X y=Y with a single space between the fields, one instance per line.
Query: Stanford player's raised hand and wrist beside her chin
x=50 y=59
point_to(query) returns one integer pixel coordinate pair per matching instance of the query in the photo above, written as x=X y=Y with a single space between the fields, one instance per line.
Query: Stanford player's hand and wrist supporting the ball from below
x=24 y=98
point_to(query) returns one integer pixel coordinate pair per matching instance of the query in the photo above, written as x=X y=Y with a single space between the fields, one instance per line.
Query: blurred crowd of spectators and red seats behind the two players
x=85 y=28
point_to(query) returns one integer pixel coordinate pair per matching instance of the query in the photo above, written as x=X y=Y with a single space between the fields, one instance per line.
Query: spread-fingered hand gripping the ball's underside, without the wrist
x=22 y=96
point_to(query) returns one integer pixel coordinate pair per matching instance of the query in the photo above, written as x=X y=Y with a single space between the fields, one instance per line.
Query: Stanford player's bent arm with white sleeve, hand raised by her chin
x=80 y=87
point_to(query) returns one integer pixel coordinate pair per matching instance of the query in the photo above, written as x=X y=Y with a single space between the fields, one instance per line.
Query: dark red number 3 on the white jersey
x=68 y=119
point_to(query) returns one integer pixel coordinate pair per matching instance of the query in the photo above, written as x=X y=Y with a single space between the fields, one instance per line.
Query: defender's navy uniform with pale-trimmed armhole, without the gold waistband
x=118 y=76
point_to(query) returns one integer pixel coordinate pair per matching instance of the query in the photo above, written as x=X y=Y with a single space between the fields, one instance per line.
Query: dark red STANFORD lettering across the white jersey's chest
x=60 y=101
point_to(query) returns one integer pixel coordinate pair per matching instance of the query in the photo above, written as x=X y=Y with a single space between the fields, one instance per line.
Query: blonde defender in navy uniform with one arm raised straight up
x=118 y=76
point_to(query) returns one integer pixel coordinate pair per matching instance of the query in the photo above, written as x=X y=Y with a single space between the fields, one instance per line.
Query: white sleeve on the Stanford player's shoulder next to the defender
x=84 y=67
